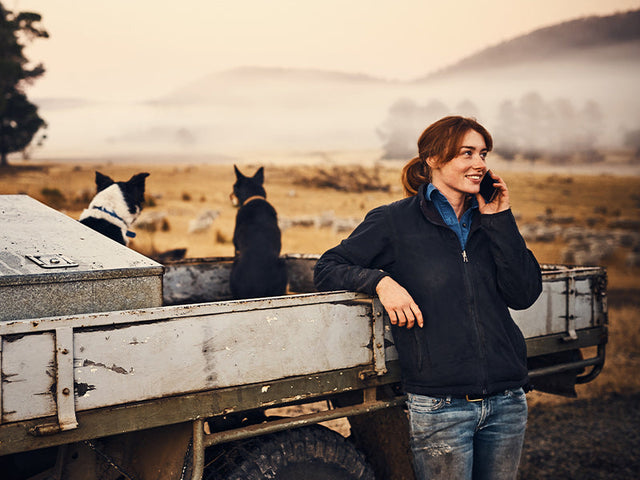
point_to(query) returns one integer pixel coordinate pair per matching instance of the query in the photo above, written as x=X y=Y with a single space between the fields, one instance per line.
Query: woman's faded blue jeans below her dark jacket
x=454 y=439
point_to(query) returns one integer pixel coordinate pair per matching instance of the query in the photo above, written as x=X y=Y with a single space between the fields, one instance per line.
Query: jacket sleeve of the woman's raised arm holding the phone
x=518 y=273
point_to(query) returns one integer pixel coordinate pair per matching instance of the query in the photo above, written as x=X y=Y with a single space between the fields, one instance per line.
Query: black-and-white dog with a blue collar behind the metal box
x=115 y=206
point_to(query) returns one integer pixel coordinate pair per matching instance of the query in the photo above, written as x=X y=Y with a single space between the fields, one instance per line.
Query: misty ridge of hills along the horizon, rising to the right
x=575 y=58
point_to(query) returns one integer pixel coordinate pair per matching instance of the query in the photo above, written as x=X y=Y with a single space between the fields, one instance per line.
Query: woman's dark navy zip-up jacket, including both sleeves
x=469 y=343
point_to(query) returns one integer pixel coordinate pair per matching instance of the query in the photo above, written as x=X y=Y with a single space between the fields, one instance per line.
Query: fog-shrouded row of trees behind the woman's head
x=530 y=127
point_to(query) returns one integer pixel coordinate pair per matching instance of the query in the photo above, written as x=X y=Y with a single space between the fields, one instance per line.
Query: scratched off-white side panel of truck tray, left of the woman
x=122 y=357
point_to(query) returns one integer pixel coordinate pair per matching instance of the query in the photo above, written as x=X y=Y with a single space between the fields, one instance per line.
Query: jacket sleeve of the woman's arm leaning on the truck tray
x=357 y=262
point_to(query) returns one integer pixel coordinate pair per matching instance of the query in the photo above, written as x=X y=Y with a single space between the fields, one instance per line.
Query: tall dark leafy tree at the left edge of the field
x=19 y=119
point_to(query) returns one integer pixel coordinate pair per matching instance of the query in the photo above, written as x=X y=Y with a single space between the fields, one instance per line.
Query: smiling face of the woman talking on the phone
x=462 y=174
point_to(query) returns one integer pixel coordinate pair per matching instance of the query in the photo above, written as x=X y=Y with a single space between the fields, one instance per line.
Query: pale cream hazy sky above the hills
x=139 y=49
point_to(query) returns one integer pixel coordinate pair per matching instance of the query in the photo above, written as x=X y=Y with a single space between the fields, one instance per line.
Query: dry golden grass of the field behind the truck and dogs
x=182 y=192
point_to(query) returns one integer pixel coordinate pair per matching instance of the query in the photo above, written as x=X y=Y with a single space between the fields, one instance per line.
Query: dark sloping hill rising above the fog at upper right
x=595 y=35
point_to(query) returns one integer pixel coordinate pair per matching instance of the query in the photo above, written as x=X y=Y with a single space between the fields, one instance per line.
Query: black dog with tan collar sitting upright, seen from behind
x=258 y=270
